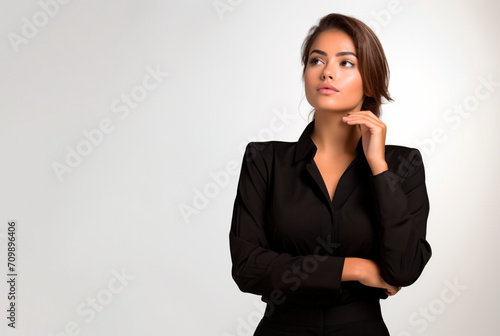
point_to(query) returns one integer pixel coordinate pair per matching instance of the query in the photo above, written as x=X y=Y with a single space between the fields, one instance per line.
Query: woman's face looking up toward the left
x=332 y=60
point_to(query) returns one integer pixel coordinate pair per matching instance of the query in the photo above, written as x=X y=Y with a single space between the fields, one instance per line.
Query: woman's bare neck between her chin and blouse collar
x=333 y=136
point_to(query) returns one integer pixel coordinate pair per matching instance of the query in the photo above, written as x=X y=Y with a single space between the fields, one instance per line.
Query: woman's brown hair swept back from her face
x=372 y=62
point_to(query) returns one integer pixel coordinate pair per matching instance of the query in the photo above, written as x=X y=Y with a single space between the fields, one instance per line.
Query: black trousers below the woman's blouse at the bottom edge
x=360 y=318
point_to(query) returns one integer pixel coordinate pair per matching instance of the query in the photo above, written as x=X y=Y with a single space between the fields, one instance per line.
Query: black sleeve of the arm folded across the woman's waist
x=256 y=268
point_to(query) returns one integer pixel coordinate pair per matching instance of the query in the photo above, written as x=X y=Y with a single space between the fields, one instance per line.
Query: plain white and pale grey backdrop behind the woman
x=123 y=125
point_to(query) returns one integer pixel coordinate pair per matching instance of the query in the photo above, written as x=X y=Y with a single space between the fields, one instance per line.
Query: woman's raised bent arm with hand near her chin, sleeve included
x=401 y=203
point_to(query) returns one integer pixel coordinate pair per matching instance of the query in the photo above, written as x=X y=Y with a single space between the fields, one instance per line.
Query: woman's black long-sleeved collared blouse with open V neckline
x=288 y=240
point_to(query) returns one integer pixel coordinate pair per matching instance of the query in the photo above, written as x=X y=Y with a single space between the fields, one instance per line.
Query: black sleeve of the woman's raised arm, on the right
x=402 y=208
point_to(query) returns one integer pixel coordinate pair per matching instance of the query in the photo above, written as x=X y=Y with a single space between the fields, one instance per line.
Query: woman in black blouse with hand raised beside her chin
x=325 y=227
